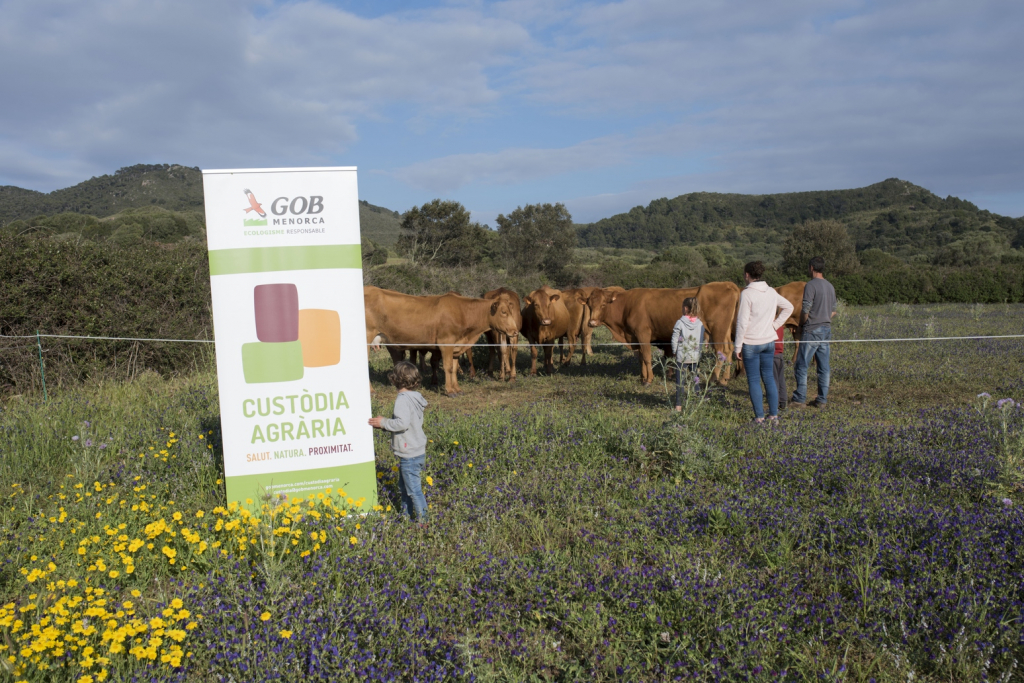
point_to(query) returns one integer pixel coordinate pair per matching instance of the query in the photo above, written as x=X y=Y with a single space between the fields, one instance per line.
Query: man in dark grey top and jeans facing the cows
x=816 y=327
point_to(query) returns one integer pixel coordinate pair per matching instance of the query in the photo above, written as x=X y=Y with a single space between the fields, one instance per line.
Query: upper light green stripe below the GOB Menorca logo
x=269 y=260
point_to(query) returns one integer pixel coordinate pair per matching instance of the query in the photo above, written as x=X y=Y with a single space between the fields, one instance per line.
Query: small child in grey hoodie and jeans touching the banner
x=408 y=441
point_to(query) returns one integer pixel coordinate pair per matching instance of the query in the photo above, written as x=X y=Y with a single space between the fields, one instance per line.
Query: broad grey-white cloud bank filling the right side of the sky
x=779 y=97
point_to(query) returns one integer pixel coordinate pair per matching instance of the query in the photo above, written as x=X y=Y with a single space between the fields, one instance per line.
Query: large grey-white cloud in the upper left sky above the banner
x=221 y=83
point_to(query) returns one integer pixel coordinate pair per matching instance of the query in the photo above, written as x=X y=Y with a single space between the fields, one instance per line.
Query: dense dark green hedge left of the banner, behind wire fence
x=62 y=287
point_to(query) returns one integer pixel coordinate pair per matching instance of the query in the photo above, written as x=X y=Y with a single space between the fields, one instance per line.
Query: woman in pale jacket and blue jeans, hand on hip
x=757 y=324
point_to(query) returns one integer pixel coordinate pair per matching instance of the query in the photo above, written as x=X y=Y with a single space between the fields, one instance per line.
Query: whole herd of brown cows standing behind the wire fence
x=450 y=325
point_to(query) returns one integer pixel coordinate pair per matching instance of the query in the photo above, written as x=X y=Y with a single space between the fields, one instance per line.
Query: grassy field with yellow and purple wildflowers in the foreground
x=580 y=531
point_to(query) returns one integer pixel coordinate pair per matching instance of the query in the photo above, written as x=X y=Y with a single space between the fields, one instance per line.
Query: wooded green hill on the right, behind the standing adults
x=895 y=217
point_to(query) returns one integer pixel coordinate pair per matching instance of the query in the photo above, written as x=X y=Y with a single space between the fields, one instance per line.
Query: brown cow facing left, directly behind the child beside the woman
x=643 y=318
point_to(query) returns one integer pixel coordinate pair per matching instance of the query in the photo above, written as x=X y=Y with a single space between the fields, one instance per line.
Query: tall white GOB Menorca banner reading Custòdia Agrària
x=287 y=283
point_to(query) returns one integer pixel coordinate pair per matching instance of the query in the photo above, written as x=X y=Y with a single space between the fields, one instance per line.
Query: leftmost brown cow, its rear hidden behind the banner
x=450 y=324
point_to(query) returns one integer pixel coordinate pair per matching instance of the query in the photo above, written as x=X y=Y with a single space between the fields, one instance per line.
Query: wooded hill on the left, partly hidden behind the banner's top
x=149 y=196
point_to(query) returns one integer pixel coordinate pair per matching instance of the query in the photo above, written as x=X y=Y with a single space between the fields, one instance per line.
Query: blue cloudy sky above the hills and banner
x=602 y=106
